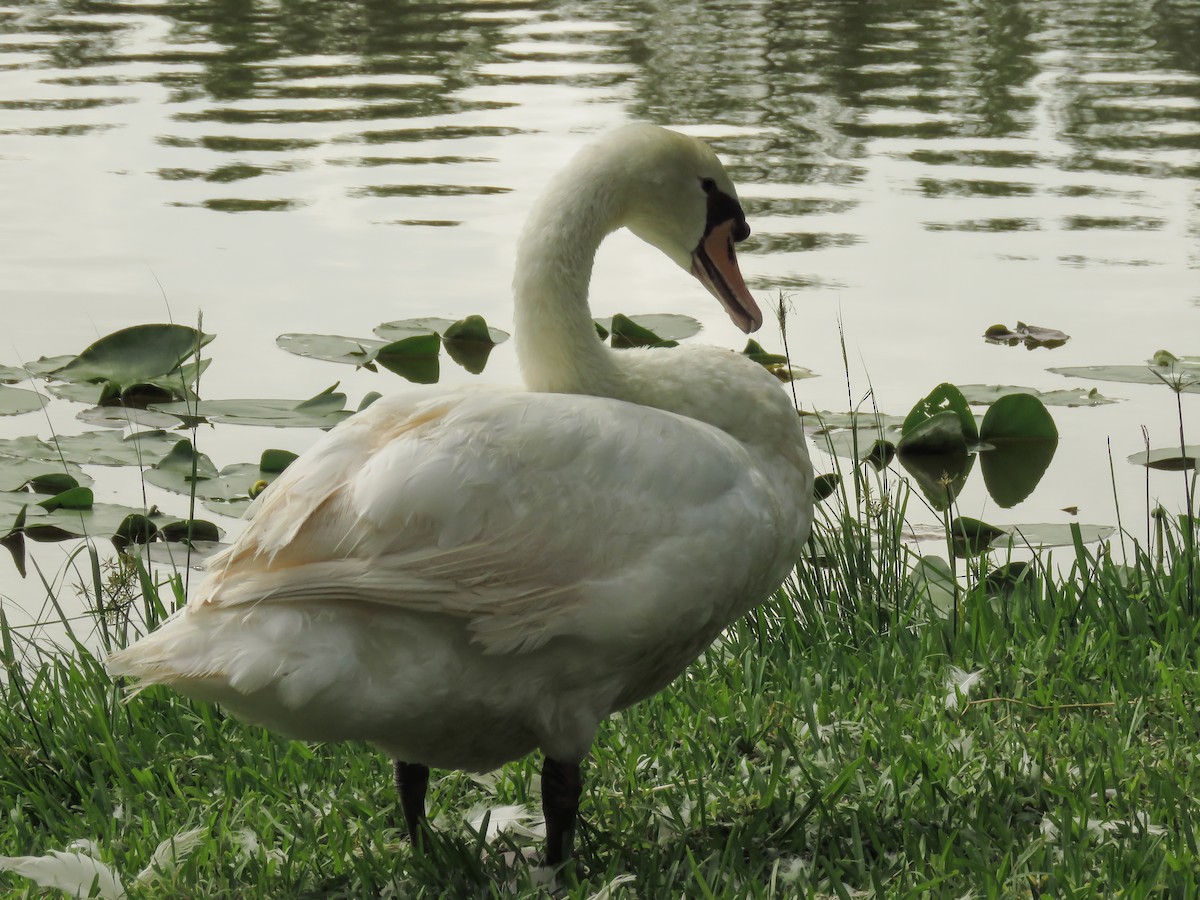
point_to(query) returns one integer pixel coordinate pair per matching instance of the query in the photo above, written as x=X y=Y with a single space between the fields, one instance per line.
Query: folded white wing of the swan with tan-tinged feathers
x=529 y=515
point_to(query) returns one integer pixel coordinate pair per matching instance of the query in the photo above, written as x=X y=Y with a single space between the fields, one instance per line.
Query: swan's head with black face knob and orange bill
x=681 y=200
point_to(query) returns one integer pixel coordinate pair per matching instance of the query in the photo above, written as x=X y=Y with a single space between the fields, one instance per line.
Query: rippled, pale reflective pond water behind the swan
x=914 y=173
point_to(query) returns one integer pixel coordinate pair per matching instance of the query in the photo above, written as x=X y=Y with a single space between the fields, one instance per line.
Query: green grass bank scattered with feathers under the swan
x=811 y=753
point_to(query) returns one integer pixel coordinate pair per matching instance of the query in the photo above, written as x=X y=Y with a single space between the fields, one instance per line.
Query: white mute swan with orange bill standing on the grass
x=464 y=577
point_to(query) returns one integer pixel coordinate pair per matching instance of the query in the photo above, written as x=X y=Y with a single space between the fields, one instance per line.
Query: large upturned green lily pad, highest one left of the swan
x=135 y=356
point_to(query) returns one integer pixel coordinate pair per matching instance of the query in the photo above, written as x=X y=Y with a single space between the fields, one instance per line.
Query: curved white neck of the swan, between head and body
x=557 y=344
